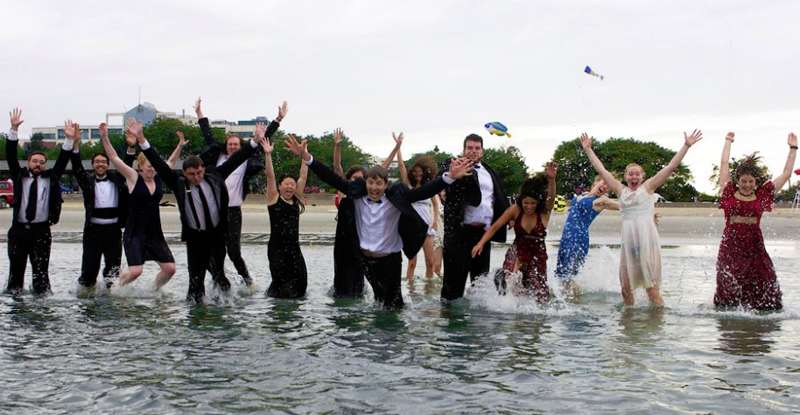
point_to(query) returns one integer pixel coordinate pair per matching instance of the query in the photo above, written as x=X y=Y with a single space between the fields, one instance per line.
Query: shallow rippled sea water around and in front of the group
x=135 y=351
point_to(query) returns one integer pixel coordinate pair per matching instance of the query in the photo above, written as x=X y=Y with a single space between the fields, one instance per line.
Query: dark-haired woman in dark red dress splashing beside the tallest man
x=528 y=253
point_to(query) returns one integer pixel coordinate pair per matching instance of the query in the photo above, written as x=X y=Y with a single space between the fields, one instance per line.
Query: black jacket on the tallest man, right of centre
x=467 y=192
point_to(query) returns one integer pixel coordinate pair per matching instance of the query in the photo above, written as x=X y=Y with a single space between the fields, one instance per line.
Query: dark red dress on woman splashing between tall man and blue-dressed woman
x=530 y=251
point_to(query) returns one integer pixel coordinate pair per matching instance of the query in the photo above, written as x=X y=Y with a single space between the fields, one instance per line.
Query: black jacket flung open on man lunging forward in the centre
x=413 y=230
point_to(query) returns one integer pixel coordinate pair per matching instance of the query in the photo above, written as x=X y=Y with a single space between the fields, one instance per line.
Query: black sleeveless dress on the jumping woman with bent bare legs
x=143 y=238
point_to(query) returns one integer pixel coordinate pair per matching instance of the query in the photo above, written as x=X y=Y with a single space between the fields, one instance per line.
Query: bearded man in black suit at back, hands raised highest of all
x=238 y=182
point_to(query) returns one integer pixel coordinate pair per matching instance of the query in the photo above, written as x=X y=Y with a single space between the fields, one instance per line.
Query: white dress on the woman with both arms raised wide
x=640 y=259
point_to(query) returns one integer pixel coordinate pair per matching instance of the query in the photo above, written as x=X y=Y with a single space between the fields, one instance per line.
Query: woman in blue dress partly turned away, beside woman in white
x=574 y=245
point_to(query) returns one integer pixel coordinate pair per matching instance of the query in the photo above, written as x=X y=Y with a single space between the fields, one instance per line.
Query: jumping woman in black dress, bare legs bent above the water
x=143 y=238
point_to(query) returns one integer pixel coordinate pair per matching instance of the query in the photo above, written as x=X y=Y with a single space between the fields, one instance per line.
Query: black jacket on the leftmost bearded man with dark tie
x=17 y=173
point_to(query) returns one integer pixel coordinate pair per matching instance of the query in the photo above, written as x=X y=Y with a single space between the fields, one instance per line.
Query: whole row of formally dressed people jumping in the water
x=451 y=212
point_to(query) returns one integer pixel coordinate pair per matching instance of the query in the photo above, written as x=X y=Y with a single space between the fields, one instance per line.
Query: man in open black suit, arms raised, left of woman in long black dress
x=202 y=199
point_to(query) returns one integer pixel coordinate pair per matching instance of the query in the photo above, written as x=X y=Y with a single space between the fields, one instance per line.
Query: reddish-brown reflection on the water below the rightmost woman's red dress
x=747 y=336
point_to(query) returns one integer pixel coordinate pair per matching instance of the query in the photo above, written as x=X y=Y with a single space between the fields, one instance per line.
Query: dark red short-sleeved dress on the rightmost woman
x=745 y=274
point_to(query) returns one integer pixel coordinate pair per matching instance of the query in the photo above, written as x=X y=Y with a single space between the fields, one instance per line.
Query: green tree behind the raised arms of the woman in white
x=575 y=172
